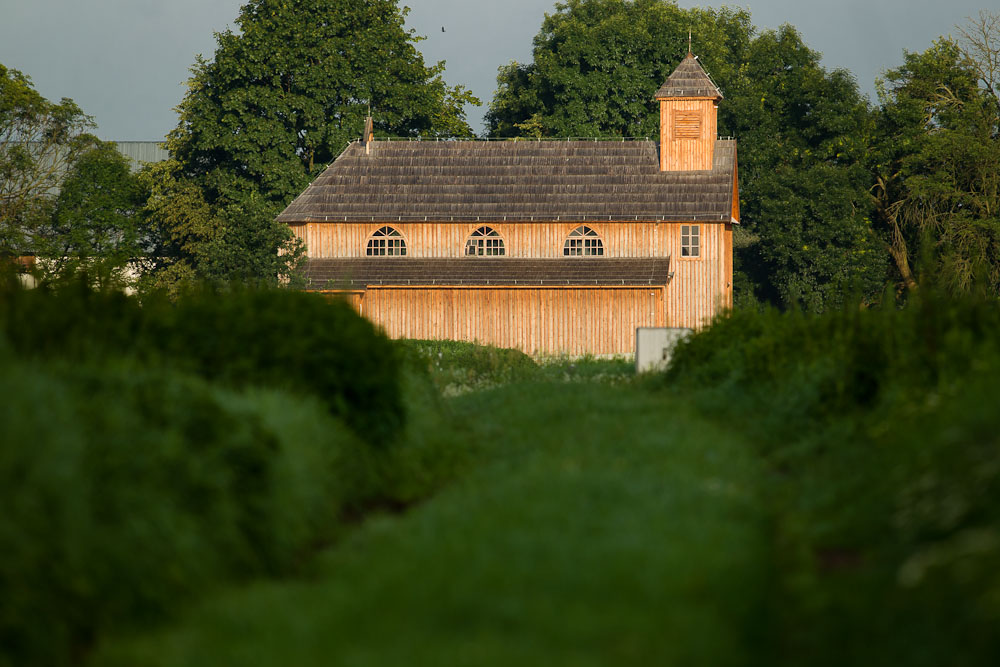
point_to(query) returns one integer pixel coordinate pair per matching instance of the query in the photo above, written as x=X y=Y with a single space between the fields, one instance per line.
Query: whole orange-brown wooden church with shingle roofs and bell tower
x=553 y=247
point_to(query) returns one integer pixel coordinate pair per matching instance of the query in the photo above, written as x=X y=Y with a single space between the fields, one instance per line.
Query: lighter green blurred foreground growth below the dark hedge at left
x=127 y=491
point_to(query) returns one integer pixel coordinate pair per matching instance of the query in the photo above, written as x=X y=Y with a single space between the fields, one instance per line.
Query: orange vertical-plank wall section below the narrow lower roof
x=537 y=320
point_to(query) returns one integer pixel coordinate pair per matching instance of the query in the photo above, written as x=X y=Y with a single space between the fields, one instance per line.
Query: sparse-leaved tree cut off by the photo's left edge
x=39 y=140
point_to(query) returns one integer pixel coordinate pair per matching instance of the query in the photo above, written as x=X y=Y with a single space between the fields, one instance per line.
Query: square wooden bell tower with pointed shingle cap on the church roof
x=689 y=107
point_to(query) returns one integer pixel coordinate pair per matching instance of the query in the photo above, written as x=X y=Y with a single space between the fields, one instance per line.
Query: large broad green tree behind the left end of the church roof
x=279 y=101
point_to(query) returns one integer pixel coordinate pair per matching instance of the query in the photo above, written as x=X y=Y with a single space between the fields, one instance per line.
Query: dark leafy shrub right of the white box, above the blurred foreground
x=791 y=368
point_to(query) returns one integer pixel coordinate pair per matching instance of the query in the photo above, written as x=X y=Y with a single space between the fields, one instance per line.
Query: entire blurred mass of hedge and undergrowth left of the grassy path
x=154 y=450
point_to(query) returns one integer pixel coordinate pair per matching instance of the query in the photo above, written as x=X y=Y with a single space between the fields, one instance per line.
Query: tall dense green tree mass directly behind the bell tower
x=806 y=237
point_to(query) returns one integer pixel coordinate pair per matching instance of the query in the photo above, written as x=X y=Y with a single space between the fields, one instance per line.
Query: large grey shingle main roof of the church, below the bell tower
x=470 y=181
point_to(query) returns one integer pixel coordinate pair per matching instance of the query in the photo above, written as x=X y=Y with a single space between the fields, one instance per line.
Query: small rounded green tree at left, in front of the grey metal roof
x=94 y=227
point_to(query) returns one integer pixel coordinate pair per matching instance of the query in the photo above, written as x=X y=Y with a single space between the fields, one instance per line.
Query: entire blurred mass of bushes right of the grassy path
x=882 y=435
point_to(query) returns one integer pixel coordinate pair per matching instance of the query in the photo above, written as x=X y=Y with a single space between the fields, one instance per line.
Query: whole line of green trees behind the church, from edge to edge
x=840 y=195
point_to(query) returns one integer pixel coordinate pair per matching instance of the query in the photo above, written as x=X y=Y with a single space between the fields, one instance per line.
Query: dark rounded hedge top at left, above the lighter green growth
x=269 y=338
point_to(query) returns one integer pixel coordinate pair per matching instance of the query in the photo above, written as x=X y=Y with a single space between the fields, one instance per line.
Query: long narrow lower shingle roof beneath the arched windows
x=360 y=273
